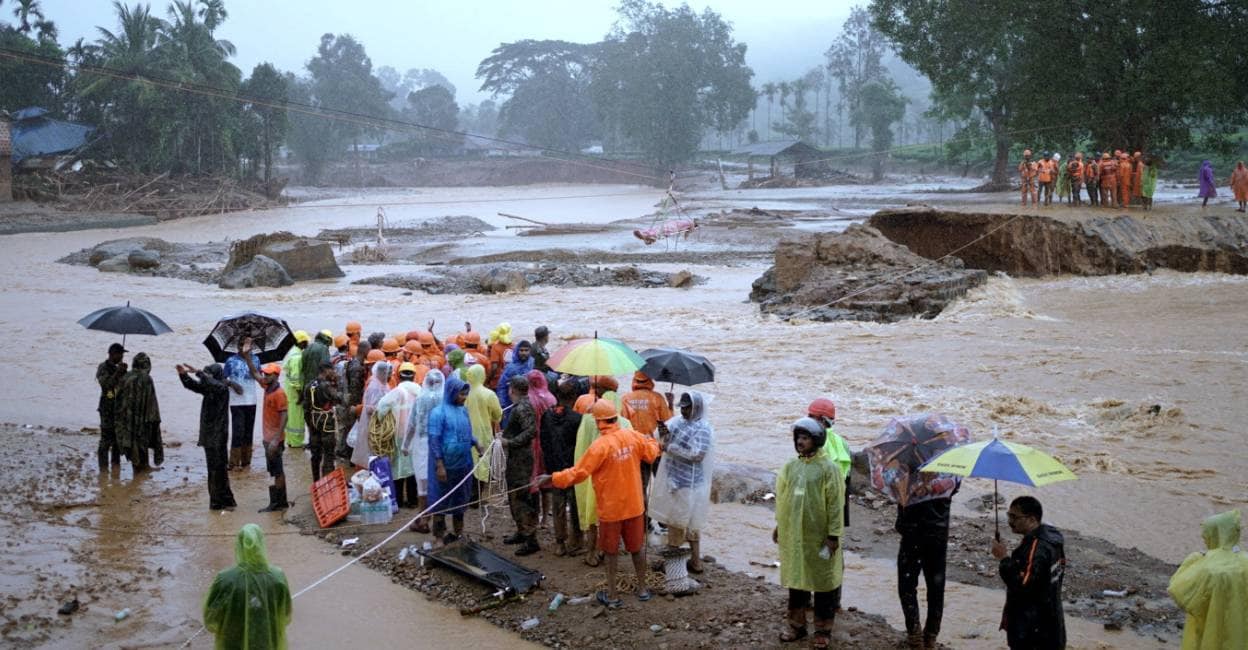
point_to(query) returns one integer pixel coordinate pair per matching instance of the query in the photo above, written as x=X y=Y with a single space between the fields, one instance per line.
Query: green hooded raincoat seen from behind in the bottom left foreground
x=249 y=606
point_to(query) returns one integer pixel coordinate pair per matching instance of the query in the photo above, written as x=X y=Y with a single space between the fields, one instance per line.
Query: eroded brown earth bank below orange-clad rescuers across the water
x=1034 y=245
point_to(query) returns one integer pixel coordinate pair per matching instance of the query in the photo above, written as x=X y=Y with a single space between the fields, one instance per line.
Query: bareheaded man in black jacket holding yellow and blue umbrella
x=1033 y=618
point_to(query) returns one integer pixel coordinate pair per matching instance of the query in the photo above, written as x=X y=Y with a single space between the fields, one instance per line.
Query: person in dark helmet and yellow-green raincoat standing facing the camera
x=809 y=503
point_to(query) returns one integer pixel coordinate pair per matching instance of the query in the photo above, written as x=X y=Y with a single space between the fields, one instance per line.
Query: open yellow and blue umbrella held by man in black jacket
x=1000 y=461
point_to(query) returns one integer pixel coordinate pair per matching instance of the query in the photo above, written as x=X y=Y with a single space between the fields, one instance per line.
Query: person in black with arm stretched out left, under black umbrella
x=214 y=429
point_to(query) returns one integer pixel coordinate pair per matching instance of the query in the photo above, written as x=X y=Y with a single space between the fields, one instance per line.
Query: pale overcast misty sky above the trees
x=786 y=38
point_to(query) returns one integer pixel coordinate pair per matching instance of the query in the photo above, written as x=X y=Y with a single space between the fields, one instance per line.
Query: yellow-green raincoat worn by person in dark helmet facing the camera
x=811 y=501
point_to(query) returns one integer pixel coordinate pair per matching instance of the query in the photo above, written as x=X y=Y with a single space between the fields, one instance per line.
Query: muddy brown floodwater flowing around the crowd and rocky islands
x=1069 y=365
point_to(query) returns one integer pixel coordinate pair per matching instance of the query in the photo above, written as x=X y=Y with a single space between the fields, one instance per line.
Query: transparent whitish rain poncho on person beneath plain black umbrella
x=681 y=492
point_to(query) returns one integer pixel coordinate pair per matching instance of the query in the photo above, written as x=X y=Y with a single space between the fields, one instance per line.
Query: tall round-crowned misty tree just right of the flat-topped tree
x=667 y=75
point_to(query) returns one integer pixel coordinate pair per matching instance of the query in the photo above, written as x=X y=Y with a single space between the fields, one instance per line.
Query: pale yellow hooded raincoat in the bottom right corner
x=1212 y=588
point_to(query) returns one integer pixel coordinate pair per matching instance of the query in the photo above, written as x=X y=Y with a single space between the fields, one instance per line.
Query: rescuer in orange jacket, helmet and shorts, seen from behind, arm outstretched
x=615 y=463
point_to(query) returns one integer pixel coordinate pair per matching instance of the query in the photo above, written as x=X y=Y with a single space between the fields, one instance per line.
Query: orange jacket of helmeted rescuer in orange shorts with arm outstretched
x=615 y=463
